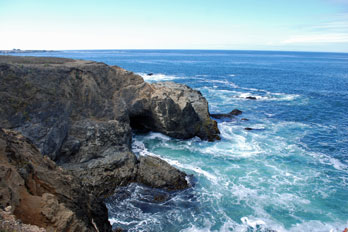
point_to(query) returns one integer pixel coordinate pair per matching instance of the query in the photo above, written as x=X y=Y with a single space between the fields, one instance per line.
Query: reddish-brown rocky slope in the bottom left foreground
x=38 y=192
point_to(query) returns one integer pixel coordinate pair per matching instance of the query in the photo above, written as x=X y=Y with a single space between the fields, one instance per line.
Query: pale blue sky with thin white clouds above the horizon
x=289 y=25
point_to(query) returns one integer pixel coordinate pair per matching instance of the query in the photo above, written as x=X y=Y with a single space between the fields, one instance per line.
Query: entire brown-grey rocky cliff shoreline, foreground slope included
x=66 y=138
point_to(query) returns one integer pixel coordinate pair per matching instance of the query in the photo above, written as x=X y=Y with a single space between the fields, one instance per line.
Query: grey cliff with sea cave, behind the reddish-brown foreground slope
x=81 y=115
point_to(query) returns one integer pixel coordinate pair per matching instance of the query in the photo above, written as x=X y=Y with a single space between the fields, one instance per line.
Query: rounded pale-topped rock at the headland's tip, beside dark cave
x=178 y=111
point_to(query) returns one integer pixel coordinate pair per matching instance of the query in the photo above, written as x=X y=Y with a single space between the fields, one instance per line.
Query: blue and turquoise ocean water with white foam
x=288 y=174
